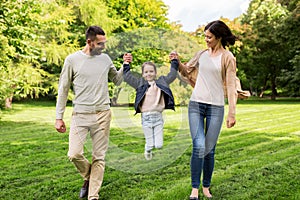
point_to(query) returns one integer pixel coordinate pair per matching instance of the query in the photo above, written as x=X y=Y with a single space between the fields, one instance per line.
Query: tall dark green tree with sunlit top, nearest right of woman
x=263 y=51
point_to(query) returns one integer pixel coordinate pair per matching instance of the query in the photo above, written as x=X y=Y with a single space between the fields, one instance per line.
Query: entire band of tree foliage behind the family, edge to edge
x=38 y=35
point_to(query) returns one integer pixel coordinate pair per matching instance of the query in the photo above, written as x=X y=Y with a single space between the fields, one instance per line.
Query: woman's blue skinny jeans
x=205 y=122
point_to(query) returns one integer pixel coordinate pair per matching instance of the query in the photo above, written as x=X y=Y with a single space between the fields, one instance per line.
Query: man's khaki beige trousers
x=98 y=125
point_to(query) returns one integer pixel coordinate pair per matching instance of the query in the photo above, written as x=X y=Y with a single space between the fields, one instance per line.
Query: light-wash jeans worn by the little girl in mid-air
x=153 y=123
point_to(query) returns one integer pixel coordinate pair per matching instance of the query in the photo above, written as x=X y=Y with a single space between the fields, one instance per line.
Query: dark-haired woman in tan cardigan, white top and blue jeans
x=216 y=79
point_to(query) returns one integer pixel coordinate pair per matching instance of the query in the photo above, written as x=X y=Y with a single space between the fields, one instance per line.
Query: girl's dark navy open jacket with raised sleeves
x=141 y=85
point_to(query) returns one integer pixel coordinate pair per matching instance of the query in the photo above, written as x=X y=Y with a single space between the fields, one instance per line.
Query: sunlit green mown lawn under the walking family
x=257 y=159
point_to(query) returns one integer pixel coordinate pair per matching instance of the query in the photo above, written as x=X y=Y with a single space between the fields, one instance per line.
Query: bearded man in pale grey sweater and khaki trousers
x=88 y=71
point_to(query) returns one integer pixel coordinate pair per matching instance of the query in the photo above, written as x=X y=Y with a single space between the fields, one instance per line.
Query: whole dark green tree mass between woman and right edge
x=269 y=55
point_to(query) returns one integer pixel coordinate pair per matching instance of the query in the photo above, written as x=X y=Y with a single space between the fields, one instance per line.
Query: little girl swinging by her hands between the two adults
x=152 y=97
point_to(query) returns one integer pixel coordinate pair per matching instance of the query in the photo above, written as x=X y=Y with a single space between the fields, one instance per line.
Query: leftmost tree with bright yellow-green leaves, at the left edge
x=18 y=26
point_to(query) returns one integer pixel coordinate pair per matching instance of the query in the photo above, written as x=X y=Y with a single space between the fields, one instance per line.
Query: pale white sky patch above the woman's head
x=192 y=13
